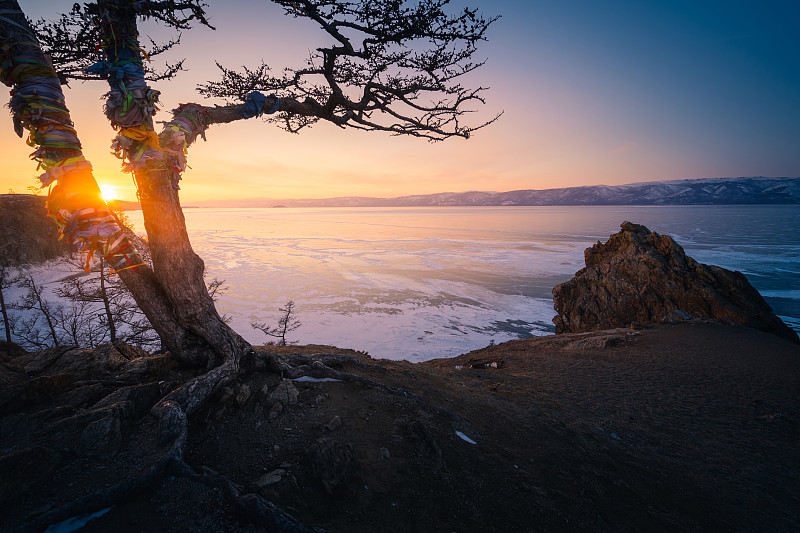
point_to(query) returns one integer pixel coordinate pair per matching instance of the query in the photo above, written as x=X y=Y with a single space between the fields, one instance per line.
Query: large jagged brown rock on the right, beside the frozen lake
x=641 y=276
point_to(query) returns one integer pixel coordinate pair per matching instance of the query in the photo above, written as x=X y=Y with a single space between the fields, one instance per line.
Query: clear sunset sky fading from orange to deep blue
x=618 y=106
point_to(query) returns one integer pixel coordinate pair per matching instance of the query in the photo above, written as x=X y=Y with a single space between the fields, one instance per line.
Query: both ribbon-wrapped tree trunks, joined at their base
x=172 y=294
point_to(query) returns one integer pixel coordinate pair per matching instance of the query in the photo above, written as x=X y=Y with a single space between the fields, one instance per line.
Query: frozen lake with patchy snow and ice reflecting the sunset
x=419 y=283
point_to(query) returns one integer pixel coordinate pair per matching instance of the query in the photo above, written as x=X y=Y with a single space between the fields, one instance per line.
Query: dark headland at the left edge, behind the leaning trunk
x=29 y=235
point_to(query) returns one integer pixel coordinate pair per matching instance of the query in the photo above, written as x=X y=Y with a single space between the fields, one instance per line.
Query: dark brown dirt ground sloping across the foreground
x=694 y=426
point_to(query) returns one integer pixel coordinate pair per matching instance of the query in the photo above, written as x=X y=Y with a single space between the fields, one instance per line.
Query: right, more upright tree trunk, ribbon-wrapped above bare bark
x=157 y=163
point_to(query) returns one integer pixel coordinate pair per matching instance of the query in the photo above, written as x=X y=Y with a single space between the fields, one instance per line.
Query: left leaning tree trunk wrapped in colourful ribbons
x=74 y=200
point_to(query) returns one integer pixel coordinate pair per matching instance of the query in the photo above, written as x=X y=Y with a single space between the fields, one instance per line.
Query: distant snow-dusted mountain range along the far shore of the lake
x=753 y=190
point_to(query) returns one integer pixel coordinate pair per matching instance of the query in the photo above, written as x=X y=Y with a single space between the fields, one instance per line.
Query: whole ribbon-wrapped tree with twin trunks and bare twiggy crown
x=391 y=65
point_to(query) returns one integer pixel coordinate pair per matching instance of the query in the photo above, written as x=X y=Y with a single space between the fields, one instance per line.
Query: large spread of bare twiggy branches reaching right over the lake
x=393 y=66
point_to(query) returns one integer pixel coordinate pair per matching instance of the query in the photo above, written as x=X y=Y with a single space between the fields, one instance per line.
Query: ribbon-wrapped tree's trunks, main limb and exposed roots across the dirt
x=172 y=293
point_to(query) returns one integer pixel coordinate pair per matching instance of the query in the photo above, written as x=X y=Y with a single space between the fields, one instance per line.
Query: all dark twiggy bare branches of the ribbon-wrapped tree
x=392 y=65
